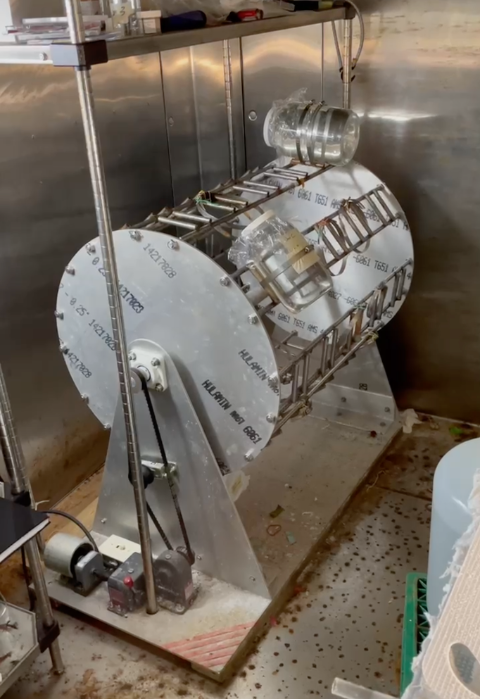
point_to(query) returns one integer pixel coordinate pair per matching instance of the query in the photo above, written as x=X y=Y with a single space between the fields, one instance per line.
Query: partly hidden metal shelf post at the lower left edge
x=17 y=473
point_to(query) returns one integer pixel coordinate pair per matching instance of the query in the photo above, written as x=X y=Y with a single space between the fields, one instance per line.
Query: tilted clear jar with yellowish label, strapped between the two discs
x=288 y=267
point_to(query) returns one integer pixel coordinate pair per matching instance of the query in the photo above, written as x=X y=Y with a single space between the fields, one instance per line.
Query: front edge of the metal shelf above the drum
x=40 y=54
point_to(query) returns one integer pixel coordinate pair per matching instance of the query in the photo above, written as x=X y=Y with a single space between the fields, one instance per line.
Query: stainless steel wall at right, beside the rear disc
x=418 y=88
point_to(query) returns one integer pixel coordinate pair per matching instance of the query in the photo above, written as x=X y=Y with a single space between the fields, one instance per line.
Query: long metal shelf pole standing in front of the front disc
x=104 y=225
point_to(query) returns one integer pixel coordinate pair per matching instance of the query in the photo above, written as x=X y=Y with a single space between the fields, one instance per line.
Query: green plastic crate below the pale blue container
x=416 y=626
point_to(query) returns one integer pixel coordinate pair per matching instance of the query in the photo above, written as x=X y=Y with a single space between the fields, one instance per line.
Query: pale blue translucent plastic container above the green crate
x=451 y=516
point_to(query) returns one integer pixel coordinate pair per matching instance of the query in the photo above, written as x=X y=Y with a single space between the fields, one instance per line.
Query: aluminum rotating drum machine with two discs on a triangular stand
x=219 y=365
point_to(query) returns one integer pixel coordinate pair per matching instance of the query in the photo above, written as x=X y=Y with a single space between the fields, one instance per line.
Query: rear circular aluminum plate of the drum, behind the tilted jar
x=365 y=270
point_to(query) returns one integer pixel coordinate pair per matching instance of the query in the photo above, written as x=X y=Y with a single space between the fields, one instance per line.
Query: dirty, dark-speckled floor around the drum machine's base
x=345 y=619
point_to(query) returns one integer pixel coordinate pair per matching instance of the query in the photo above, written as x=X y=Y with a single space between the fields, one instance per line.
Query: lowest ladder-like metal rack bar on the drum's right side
x=337 y=345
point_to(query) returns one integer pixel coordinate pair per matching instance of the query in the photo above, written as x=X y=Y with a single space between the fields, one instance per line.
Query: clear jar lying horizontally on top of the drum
x=312 y=132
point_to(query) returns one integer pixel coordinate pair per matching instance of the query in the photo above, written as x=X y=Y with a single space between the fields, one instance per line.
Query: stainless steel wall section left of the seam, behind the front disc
x=46 y=214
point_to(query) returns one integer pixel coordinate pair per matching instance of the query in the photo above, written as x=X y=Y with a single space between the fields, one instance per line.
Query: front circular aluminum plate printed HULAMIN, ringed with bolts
x=173 y=297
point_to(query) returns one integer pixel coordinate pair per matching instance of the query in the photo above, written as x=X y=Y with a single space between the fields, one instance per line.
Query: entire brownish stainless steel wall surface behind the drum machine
x=418 y=90
